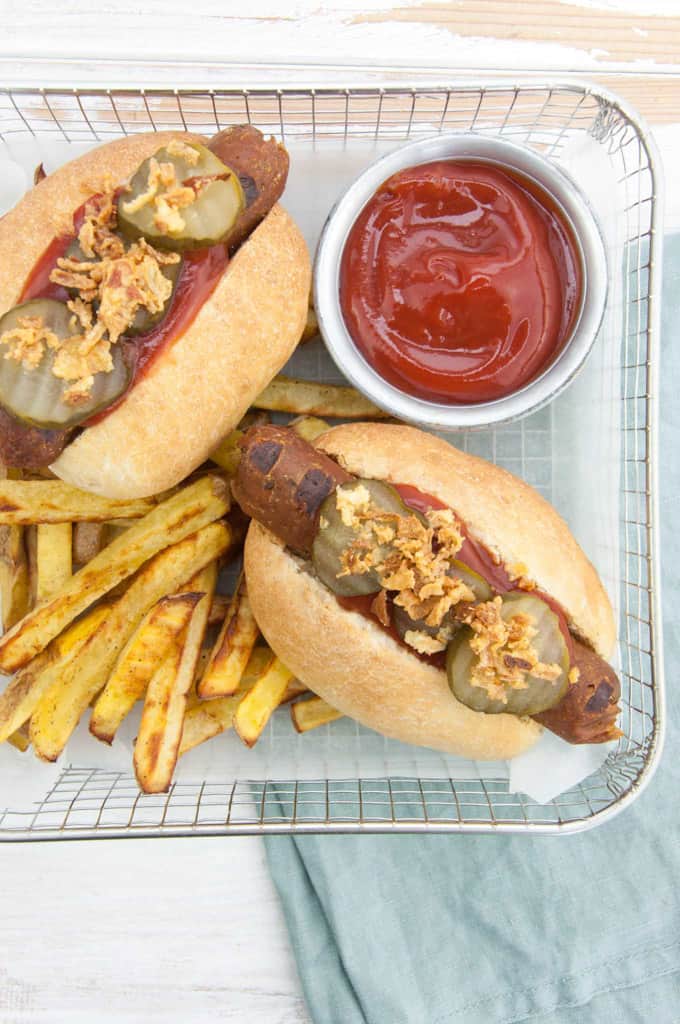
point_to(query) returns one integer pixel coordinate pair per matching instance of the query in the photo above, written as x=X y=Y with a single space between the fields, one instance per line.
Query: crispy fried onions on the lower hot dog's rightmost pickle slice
x=505 y=656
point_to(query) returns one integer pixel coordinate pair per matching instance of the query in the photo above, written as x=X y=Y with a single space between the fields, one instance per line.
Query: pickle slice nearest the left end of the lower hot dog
x=334 y=538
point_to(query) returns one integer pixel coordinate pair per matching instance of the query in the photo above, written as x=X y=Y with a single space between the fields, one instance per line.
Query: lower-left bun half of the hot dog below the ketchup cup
x=363 y=672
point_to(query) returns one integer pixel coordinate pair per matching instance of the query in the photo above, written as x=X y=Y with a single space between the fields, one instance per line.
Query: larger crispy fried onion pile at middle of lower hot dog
x=412 y=559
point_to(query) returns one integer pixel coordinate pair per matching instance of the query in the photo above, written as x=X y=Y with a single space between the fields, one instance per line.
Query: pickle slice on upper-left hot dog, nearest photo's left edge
x=34 y=396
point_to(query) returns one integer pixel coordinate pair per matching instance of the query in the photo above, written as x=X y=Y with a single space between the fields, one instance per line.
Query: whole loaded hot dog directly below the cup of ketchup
x=488 y=578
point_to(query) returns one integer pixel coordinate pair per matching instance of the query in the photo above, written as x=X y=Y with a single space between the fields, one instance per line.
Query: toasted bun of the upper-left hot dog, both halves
x=202 y=385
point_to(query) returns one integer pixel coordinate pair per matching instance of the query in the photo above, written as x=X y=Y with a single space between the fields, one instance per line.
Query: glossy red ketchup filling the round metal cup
x=460 y=281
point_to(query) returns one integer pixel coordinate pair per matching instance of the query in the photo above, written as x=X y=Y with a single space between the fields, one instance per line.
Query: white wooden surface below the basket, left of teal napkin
x=146 y=932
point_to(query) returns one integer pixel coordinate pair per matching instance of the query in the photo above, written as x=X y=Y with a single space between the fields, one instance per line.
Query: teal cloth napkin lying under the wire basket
x=492 y=930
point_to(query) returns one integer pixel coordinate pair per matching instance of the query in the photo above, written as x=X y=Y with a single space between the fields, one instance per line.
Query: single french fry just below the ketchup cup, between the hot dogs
x=285 y=395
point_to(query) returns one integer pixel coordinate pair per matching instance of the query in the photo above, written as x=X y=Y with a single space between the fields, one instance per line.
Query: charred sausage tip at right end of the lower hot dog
x=587 y=713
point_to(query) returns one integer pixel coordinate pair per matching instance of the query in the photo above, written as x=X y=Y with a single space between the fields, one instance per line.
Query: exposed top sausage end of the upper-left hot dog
x=263 y=168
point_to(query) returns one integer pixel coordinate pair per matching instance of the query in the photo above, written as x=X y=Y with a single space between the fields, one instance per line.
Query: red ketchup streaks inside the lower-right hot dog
x=473 y=554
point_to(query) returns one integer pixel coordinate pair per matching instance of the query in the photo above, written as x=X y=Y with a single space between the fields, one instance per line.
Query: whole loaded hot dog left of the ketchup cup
x=156 y=287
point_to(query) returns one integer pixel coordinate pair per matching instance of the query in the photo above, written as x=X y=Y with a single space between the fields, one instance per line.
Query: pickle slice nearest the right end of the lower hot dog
x=540 y=695
